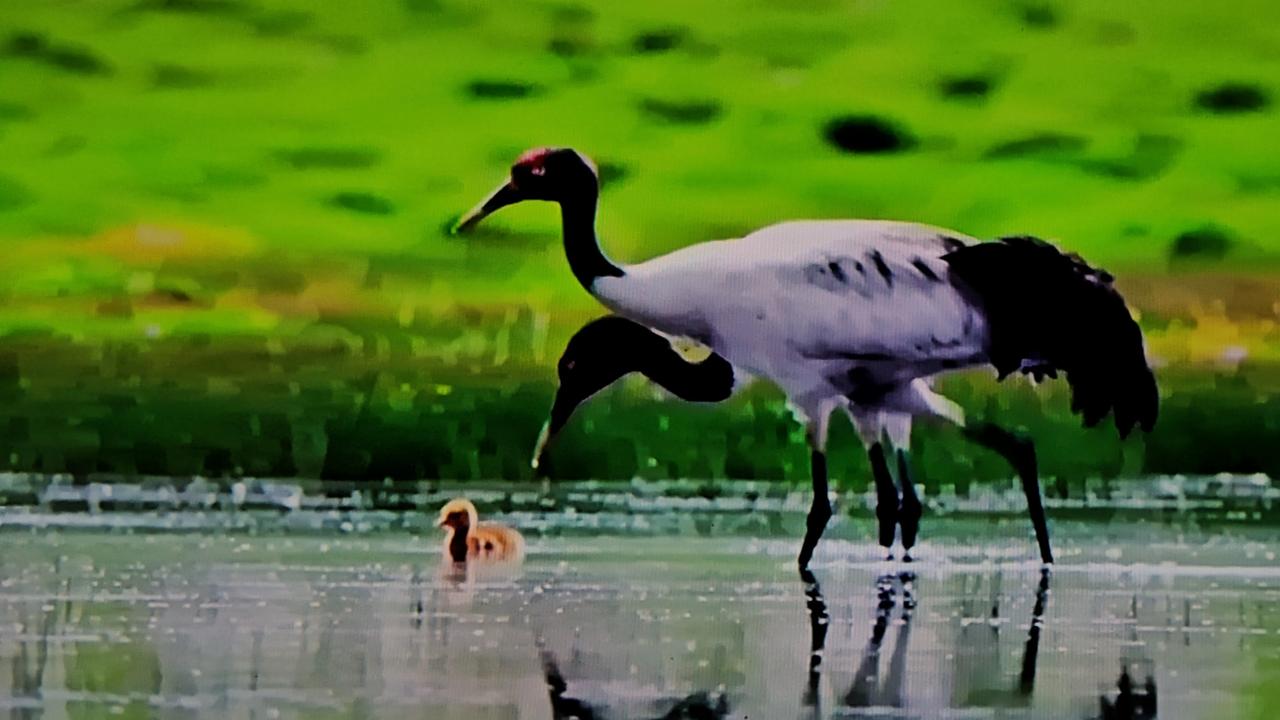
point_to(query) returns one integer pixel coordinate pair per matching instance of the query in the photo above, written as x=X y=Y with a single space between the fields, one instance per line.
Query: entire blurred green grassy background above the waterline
x=225 y=220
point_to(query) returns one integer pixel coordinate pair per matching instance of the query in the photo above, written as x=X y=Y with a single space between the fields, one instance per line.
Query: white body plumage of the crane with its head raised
x=848 y=315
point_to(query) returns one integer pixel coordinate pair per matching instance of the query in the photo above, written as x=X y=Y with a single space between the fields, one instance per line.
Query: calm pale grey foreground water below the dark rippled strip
x=97 y=623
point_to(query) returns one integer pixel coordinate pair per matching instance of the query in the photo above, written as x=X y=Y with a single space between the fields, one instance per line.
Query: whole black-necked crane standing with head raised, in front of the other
x=860 y=316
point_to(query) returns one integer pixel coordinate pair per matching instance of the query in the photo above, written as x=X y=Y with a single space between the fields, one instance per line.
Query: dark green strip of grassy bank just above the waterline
x=368 y=409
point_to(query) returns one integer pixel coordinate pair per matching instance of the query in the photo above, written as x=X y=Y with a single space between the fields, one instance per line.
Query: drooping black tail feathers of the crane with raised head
x=1048 y=311
